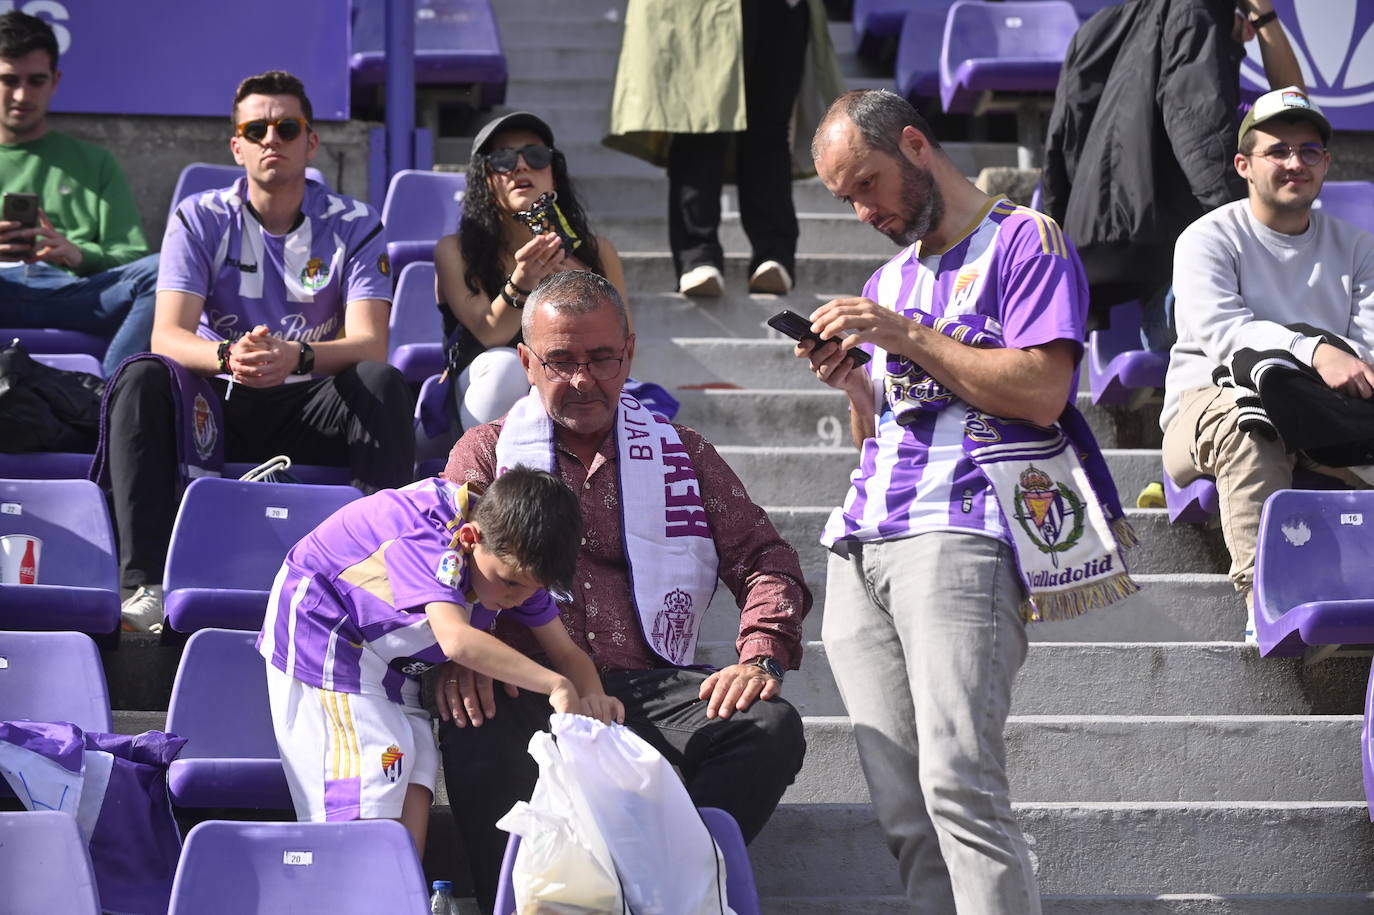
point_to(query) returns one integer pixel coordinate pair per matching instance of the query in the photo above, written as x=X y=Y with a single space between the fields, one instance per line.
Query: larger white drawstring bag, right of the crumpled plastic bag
x=666 y=858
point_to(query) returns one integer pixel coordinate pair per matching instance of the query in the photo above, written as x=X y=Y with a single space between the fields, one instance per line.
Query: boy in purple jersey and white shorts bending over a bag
x=390 y=587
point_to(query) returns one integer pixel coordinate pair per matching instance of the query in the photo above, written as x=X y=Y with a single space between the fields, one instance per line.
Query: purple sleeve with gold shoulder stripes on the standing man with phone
x=1045 y=295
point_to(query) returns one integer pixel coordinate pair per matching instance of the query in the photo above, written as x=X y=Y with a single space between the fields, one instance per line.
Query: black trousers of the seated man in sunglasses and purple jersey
x=359 y=418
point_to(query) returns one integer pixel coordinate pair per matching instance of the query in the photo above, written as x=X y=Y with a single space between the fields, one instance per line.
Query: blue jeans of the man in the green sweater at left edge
x=113 y=304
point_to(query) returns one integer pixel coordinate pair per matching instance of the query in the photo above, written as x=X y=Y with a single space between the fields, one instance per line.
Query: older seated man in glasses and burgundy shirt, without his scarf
x=736 y=743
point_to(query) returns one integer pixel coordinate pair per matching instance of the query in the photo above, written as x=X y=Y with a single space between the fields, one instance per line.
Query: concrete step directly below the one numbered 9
x=778 y=476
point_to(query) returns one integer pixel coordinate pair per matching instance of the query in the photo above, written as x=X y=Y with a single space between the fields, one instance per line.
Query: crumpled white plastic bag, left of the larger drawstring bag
x=564 y=866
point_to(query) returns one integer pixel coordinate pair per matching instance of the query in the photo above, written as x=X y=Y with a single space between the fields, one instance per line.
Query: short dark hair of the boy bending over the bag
x=532 y=519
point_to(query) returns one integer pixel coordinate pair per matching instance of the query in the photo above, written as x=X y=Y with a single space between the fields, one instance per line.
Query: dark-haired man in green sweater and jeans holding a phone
x=72 y=248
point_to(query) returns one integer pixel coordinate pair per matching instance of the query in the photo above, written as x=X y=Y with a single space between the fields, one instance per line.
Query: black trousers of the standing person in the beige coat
x=774 y=52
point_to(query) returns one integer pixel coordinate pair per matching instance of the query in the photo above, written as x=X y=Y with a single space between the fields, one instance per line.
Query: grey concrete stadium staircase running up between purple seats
x=1159 y=765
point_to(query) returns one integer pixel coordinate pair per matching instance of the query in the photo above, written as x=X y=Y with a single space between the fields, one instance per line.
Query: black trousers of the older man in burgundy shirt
x=741 y=765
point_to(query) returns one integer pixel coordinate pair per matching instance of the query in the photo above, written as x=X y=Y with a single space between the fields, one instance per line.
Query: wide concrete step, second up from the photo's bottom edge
x=1097 y=850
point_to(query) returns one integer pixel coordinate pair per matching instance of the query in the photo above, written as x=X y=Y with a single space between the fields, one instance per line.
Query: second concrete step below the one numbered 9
x=1164 y=549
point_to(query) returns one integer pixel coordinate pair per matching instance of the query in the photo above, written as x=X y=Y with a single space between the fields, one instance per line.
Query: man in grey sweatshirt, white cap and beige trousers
x=1241 y=275
